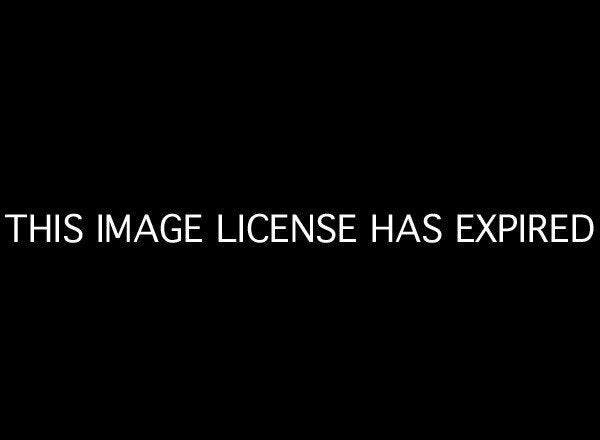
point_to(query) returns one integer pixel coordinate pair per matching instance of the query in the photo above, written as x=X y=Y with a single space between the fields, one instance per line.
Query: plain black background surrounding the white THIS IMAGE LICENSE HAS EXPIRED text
x=381 y=113
